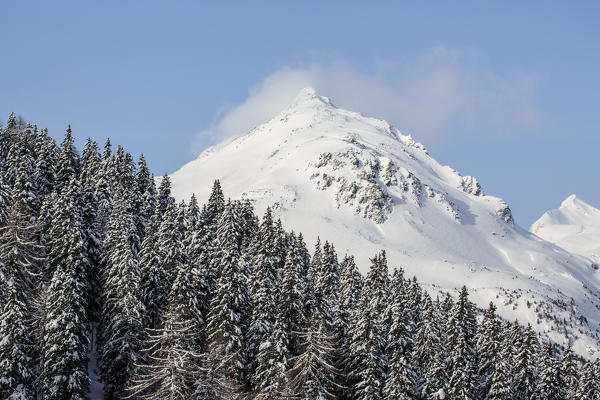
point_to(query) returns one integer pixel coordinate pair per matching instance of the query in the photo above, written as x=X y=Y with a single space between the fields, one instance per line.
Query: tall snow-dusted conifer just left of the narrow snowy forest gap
x=66 y=331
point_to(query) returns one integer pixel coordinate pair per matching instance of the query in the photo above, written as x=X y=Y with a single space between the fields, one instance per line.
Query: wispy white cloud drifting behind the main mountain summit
x=442 y=94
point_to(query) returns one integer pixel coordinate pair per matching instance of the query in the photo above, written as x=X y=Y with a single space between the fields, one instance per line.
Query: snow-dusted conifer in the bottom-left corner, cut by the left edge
x=16 y=346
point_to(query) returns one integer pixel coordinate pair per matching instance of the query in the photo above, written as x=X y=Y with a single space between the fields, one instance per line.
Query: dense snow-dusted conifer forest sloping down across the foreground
x=110 y=289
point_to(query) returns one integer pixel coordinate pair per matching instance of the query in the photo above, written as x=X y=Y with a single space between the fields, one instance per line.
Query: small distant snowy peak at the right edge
x=574 y=226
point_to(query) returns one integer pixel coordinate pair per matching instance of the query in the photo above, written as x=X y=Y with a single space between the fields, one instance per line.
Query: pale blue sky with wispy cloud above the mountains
x=506 y=91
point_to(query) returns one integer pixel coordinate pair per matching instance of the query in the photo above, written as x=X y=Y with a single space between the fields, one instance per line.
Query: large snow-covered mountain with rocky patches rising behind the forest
x=361 y=184
